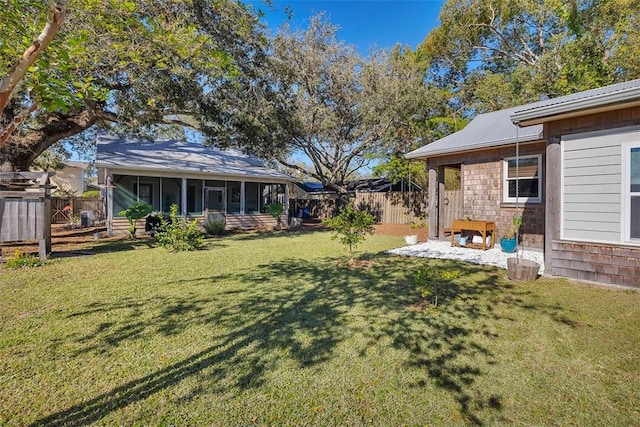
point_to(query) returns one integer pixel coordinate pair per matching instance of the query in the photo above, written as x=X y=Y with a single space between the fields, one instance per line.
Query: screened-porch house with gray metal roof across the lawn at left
x=205 y=183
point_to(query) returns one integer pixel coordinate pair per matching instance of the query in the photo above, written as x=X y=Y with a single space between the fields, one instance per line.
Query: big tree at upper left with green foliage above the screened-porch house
x=141 y=66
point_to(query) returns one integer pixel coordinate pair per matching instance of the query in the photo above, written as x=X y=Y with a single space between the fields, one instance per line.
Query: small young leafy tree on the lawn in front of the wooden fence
x=351 y=226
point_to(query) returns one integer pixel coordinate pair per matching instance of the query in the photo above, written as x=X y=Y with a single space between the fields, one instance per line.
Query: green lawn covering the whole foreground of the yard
x=275 y=329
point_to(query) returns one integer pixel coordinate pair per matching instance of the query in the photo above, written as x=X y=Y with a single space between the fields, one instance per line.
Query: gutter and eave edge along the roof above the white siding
x=621 y=99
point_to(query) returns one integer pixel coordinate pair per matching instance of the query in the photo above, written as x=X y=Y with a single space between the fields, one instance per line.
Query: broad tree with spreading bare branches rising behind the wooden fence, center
x=325 y=103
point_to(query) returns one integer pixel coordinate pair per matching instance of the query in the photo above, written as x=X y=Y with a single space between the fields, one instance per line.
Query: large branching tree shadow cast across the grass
x=301 y=309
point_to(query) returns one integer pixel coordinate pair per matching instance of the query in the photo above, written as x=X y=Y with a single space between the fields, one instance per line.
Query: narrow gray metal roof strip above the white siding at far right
x=613 y=94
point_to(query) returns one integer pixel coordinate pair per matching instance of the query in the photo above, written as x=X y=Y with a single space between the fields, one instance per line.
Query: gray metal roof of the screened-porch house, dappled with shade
x=169 y=155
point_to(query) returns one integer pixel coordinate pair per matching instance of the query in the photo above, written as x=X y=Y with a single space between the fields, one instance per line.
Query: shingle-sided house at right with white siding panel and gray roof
x=579 y=179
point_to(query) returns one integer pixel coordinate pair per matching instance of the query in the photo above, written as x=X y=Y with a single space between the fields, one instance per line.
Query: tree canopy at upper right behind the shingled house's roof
x=500 y=53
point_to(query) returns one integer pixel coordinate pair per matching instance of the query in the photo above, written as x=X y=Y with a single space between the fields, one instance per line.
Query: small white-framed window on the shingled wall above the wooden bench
x=522 y=179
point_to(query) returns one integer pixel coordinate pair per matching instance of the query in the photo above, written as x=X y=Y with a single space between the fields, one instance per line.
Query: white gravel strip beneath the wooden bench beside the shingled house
x=443 y=250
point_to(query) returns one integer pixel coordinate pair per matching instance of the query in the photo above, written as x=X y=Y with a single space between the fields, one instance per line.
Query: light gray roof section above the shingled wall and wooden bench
x=485 y=131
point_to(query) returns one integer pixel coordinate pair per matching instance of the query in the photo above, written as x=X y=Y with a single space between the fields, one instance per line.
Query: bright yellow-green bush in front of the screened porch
x=176 y=234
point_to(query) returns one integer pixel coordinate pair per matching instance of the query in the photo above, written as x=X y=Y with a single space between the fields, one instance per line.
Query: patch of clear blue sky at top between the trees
x=364 y=23
